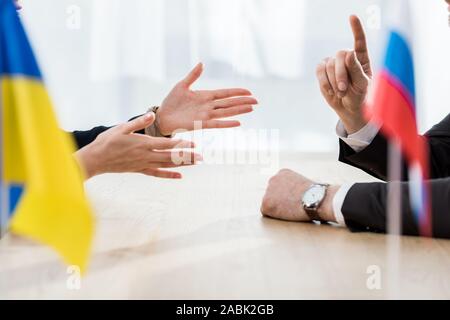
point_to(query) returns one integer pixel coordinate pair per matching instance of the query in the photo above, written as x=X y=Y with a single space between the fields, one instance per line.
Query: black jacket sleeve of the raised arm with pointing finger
x=373 y=159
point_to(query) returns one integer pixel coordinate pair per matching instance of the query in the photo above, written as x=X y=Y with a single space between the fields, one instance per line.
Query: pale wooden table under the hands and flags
x=204 y=238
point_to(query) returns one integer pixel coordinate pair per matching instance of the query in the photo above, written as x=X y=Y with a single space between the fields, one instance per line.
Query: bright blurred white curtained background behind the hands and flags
x=108 y=60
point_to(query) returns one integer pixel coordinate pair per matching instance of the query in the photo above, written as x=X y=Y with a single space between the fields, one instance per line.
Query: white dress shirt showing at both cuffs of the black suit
x=357 y=141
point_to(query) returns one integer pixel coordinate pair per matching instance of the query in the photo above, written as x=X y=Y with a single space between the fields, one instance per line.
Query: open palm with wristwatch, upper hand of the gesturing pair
x=183 y=107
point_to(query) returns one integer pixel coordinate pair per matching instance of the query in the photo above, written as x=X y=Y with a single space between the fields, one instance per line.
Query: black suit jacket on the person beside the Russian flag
x=365 y=205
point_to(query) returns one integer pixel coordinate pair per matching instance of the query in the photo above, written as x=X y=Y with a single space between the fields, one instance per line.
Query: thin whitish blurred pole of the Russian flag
x=394 y=219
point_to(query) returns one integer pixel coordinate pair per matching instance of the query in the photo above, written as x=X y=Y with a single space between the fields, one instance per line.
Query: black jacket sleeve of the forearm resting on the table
x=364 y=208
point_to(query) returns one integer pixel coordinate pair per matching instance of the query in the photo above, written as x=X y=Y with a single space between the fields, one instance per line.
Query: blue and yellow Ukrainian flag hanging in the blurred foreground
x=42 y=181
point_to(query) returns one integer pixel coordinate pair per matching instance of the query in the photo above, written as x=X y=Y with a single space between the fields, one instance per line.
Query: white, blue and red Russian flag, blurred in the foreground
x=395 y=110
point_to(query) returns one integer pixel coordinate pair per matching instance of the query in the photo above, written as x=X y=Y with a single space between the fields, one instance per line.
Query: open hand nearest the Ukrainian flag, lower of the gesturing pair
x=120 y=150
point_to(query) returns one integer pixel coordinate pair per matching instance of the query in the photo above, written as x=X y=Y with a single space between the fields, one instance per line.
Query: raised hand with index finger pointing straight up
x=345 y=79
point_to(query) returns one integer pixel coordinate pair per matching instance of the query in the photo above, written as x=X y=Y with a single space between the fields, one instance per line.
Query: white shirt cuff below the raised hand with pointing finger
x=360 y=140
